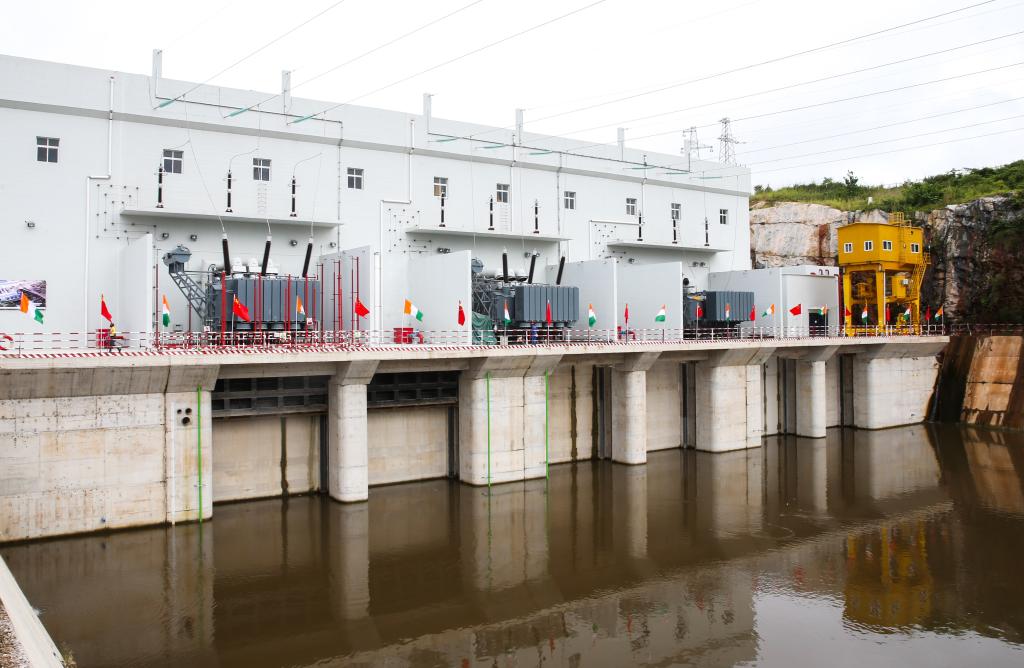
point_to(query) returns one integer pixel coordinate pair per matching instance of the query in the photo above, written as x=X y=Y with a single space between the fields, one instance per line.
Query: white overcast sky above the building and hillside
x=613 y=50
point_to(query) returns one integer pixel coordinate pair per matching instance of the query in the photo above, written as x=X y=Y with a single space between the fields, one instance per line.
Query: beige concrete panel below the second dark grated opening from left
x=407 y=444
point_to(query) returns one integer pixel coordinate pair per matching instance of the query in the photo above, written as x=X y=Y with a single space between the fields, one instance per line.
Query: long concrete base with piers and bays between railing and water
x=112 y=441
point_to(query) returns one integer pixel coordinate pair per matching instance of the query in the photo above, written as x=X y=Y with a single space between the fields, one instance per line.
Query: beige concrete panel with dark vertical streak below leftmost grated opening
x=263 y=456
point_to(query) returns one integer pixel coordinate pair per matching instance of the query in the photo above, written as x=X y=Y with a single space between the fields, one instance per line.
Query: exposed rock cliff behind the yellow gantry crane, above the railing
x=977 y=271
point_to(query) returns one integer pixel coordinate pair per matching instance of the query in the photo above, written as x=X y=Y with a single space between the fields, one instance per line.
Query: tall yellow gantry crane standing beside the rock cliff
x=883 y=267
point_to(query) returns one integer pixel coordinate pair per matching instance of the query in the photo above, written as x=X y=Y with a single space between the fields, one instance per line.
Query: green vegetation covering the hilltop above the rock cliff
x=956 y=187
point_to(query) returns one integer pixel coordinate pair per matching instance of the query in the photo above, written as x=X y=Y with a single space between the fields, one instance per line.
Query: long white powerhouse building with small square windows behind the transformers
x=80 y=152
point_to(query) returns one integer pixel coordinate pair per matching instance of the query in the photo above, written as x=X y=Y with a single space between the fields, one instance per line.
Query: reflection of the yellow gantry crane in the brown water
x=889 y=582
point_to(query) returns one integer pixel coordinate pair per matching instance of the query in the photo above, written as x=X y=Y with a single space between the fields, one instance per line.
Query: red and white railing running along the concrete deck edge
x=35 y=344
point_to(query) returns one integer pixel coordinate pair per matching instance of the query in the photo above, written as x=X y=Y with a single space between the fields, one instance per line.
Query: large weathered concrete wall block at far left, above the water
x=81 y=464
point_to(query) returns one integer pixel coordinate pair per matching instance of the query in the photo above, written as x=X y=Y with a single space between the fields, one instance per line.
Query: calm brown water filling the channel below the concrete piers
x=898 y=548
